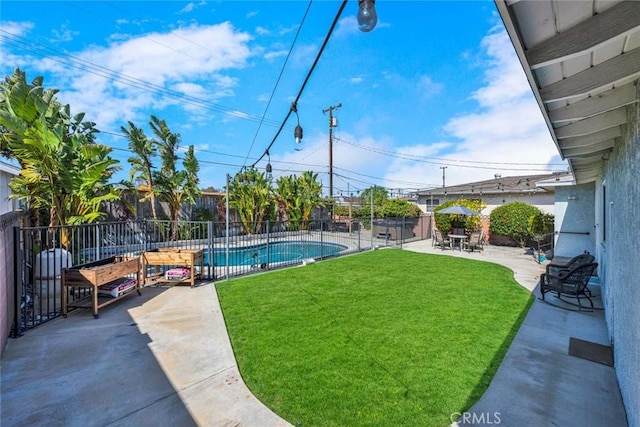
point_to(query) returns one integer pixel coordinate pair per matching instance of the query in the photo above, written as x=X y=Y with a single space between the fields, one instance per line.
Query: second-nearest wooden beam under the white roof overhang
x=614 y=71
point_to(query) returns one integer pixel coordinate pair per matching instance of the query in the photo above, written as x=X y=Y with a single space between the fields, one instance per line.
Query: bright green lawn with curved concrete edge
x=388 y=337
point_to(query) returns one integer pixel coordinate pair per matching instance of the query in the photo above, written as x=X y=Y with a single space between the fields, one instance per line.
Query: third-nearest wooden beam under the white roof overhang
x=605 y=101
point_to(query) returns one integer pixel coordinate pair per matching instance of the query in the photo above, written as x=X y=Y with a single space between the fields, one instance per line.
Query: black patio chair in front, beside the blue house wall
x=569 y=283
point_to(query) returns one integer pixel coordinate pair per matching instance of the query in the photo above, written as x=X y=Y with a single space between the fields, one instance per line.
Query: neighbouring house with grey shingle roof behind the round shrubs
x=536 y=190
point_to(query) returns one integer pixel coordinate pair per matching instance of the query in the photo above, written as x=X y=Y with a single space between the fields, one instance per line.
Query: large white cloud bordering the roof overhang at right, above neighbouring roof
x=508 y=128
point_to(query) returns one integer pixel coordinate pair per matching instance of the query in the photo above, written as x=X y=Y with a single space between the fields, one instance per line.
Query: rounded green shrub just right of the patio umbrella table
x=512 y=220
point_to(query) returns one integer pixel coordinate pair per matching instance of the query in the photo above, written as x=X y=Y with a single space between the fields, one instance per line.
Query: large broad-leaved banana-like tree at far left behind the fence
x=63 y=170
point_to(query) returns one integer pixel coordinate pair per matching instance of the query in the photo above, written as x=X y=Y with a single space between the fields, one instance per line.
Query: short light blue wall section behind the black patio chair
x=574 y=216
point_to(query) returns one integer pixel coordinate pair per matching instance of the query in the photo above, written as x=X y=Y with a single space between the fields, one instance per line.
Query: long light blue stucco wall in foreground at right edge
x=621 y=251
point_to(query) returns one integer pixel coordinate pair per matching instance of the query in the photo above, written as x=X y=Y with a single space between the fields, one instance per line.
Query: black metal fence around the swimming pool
x=41 y=253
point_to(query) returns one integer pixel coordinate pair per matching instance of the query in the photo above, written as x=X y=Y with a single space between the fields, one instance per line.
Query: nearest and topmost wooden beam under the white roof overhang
x=618 y=21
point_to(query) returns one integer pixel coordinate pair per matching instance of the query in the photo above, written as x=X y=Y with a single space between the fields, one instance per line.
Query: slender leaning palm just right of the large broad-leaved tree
x=142 y=163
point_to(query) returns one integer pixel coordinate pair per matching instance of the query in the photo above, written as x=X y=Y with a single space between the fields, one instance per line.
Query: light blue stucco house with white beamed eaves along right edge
x=582 y=60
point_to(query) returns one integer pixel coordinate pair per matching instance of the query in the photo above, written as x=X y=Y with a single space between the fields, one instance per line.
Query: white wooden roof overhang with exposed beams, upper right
x=582 y=60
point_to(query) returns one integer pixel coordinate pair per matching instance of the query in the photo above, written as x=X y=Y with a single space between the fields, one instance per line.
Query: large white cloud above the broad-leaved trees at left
x=136 y=70
